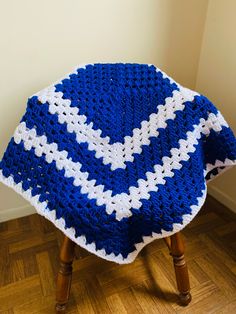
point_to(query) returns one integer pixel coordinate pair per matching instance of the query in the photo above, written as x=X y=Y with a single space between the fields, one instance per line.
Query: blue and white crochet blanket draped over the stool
x=117 y=155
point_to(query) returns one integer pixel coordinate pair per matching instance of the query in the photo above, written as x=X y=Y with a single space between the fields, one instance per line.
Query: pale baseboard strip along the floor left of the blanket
x=12 y=213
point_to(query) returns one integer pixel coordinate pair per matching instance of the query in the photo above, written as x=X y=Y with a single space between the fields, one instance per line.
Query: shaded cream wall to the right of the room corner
x=217 y=79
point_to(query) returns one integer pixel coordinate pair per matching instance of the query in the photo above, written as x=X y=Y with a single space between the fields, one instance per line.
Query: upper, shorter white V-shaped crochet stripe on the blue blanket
x=118 y=153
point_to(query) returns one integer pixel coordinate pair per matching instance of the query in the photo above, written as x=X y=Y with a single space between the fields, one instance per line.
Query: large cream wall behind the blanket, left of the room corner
x=43 y=40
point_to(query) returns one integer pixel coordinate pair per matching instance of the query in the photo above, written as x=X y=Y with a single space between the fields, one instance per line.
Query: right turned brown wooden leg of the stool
x=181 y=270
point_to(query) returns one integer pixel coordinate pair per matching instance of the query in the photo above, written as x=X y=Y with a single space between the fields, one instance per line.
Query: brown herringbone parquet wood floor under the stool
x=29 y=249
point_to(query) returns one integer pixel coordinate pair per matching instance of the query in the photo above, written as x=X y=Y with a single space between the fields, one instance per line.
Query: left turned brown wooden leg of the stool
x=64 y=275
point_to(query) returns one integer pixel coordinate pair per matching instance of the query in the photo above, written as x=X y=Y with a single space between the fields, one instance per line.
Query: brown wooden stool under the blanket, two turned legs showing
x=176 y=248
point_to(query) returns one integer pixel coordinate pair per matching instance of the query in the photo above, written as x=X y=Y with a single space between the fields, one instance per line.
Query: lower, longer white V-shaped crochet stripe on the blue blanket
x=122 y=203
